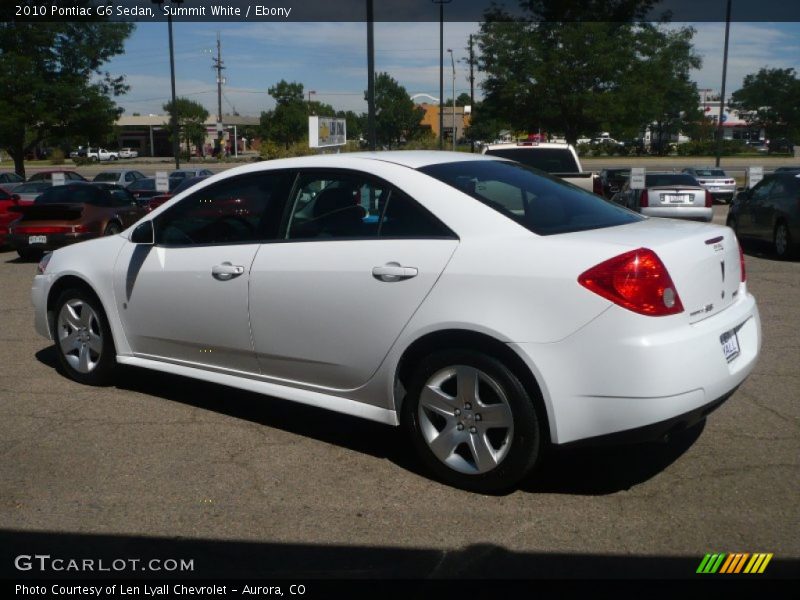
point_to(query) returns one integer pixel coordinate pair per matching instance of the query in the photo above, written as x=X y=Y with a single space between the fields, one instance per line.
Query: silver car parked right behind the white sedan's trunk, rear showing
x=671 y=195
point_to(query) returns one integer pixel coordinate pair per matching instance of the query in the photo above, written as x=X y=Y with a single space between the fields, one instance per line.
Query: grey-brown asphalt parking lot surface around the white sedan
x=246 y=485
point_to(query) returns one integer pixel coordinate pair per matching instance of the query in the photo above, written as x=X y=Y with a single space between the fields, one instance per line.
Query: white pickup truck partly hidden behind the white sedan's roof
x=559 y=160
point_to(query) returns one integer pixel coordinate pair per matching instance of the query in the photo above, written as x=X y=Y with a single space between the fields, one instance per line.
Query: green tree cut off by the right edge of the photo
x=771 y=99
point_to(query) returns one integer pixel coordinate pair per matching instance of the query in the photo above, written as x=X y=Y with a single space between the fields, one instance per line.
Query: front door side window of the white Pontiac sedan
x=242 y=210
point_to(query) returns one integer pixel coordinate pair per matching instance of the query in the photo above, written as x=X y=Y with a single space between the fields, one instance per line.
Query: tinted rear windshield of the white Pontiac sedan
x=542 y=204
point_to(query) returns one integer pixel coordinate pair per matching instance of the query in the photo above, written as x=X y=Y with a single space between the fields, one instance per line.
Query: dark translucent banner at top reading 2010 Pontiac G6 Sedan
x=143 y=11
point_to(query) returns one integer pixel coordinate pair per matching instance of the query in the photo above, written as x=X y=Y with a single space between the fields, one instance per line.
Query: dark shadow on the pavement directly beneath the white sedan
x=584 y=471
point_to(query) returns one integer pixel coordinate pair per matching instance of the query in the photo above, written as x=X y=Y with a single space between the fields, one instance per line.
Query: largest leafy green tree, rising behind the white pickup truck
x=581 y=67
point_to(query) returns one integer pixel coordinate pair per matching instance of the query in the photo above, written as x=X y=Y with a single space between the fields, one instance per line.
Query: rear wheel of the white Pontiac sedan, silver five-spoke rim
x=512 y=451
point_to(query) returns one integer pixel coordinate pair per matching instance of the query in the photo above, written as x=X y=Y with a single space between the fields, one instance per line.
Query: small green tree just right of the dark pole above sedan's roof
x=396 y=115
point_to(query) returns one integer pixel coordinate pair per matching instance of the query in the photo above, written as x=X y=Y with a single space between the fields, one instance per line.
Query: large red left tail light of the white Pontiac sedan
x=636 y=280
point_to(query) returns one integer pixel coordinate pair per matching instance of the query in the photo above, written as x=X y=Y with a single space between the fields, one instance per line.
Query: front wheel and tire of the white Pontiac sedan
x=76 y=333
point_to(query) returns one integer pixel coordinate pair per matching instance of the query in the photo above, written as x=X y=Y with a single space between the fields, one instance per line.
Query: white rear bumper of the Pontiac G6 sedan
x=624 y=372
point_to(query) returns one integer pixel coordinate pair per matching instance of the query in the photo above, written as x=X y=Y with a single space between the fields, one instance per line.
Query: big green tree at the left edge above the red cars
x=54 y=88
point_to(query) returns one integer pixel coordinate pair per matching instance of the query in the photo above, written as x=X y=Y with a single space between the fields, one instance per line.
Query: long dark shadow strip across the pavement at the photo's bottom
x=235 y=559
